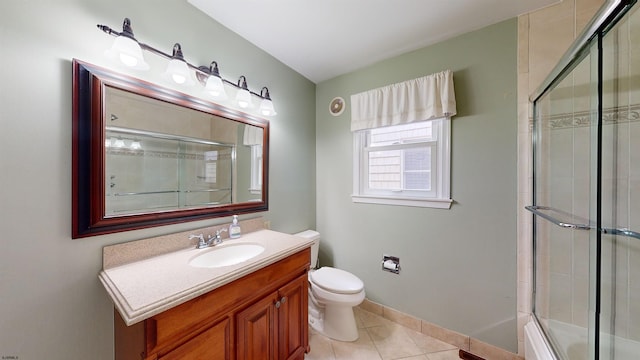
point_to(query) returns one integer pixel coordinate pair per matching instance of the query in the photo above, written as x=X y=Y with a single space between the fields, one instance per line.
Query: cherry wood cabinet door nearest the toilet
x=292 y=320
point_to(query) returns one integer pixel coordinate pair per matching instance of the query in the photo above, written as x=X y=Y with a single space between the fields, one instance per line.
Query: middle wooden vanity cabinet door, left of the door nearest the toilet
x=257 y=330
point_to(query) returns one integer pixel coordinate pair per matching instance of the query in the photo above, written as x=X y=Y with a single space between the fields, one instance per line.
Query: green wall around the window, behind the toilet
x=458 y=265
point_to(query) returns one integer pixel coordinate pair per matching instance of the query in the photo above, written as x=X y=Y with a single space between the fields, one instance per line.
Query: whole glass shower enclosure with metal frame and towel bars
x=586 y=207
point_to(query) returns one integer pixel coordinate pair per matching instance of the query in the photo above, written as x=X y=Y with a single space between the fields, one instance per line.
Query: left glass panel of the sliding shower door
x=564 y=147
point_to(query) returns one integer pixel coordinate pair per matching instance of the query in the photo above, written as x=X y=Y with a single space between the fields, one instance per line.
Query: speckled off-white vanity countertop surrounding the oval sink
x=148 y=287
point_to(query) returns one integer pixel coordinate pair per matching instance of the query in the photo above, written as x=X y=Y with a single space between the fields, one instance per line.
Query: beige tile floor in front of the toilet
x=380 y=339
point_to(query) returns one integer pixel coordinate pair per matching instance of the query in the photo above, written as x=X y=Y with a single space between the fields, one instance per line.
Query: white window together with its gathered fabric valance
x=401 y=142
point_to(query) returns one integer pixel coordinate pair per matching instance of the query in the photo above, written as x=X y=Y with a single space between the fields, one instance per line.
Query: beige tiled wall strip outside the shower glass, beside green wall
x=543 y=37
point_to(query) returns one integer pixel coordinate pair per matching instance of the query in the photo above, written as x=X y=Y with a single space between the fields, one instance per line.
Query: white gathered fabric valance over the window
x=425 y=98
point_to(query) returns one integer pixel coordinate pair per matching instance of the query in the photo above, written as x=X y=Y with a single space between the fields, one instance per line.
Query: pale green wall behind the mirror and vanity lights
x=52 y=305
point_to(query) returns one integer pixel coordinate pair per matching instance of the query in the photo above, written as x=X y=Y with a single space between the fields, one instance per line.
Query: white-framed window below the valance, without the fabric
x=404 y=164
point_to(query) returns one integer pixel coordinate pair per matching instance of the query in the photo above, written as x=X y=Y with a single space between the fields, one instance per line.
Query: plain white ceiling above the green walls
x=326 y=38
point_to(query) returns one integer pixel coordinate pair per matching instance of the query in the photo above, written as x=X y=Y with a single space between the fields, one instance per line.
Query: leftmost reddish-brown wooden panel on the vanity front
x=212 y=344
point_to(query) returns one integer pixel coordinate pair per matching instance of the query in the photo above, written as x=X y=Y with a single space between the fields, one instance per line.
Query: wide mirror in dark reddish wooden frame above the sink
x=144 y=155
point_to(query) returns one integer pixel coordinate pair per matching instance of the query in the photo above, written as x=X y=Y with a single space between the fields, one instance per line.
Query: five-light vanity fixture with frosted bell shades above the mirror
x=179 y=70
